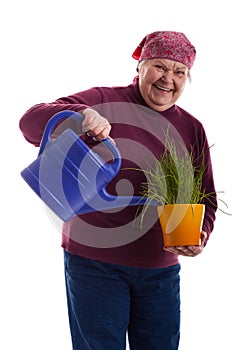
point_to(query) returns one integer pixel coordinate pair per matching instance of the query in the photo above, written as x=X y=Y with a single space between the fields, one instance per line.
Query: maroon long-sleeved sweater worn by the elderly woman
x=117 y=236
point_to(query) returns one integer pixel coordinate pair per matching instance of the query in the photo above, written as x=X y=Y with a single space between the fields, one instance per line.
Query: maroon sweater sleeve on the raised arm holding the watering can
x=33 y=122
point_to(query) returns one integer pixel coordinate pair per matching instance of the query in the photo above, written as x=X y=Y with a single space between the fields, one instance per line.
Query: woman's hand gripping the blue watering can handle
x=94 y=125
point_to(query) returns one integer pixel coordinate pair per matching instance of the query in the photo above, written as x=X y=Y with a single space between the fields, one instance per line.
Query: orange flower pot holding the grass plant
x=181 y=223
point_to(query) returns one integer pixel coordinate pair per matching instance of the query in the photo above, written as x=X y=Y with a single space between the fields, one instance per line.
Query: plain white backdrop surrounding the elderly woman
x=55 y=48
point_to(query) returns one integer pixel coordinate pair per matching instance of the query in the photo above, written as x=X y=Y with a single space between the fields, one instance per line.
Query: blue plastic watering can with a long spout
x=70 y=178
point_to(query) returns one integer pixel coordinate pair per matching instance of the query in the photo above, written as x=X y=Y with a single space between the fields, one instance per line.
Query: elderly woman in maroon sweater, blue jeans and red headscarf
x=119 y=278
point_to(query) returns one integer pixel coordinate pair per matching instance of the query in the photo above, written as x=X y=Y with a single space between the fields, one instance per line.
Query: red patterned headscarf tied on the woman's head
x=170 y=45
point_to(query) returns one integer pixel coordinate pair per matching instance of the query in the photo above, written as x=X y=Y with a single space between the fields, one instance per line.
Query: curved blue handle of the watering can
x=54 y=120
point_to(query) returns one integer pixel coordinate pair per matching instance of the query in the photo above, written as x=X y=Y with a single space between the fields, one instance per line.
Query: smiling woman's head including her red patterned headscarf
x=165 y=59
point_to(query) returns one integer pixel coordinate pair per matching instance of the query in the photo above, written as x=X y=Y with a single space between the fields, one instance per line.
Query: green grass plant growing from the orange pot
x=176 y=178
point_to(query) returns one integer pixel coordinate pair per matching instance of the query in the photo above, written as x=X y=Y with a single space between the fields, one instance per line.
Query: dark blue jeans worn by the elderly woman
x=105 y=301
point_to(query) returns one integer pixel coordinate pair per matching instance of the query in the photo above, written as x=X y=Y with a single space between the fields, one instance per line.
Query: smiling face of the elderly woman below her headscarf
x=161 y=82
